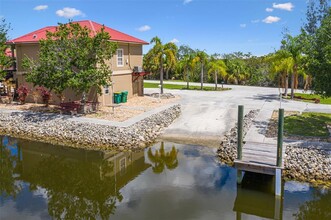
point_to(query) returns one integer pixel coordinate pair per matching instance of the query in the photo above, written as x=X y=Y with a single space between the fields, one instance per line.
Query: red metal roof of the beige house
x=115 y=35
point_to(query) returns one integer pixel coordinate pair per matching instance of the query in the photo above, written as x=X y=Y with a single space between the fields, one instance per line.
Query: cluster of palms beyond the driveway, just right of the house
x=185 y=63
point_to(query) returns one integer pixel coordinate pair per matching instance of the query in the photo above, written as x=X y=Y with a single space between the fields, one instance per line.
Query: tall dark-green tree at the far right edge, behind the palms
x=319 y=57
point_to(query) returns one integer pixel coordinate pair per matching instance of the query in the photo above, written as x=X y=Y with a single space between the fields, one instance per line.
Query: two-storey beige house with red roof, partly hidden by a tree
x=128 y=56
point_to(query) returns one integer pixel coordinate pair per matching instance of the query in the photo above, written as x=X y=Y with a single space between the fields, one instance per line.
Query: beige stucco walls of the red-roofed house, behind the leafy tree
x=122 y=76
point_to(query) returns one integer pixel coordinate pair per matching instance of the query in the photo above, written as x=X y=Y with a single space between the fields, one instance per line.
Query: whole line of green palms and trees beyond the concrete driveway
x=302 y=61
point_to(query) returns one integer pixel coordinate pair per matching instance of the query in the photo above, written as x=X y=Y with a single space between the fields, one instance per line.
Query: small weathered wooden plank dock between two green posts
x=258 y=158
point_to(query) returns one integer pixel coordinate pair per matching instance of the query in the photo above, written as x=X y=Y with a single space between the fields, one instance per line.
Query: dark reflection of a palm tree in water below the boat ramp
x=163 y=159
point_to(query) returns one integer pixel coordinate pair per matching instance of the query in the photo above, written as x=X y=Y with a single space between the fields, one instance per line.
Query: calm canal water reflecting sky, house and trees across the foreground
x=166 y=181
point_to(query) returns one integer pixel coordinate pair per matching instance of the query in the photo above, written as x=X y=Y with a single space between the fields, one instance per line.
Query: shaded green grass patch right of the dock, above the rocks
x=308 y=124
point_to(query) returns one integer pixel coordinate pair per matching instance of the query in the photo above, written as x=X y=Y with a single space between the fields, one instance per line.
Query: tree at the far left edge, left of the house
x=5 y=60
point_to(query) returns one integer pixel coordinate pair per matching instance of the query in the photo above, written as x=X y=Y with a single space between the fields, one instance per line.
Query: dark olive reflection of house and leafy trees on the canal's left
x=77 y=184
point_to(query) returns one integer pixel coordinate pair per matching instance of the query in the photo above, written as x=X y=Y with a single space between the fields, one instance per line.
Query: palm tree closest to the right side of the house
x=162 y=54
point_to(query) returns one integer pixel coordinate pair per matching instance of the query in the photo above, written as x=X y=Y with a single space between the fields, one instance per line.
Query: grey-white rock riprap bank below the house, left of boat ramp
x=57 y=129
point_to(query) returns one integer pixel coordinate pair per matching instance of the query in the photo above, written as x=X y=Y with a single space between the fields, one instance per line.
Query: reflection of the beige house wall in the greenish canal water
x=119 y=168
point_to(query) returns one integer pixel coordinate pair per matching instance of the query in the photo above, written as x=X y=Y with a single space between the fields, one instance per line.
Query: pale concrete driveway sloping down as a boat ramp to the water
x=207 y=115
